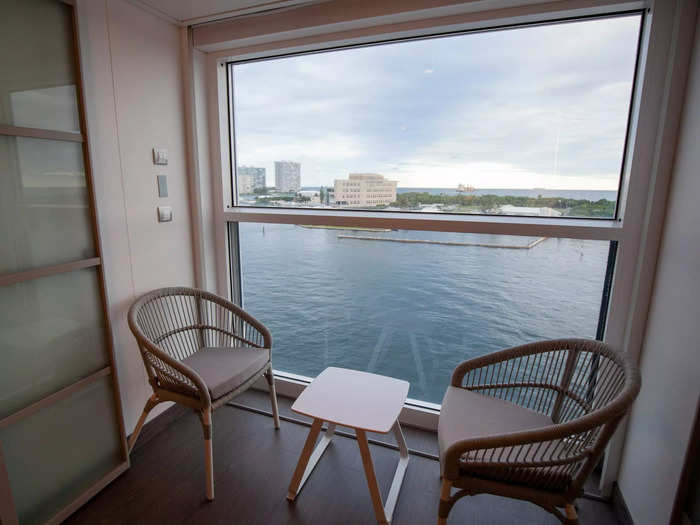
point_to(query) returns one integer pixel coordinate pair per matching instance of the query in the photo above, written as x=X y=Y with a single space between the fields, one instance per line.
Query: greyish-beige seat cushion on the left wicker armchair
x=225 y=369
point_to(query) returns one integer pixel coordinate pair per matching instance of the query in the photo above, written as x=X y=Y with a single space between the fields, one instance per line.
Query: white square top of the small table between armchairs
x=353 y=399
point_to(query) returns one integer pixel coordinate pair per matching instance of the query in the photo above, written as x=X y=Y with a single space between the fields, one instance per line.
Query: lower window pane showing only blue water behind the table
x=413 y=304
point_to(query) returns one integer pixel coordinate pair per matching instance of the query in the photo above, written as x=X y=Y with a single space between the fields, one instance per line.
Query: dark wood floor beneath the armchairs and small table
x=253 y=464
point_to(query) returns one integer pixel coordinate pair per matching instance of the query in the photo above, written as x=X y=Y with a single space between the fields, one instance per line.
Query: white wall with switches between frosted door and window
x=134 y=100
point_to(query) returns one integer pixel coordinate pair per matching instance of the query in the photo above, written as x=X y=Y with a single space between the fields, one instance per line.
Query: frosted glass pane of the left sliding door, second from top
x=44 y=211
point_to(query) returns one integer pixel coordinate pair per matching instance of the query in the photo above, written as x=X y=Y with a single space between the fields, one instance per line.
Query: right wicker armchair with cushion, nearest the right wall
x=532 y=421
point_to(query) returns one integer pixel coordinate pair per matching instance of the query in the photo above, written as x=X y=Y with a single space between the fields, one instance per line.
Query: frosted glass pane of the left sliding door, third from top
x=51 y=334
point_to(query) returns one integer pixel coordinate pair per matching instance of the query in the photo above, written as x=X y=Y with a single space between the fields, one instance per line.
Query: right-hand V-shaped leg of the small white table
x=382 y=512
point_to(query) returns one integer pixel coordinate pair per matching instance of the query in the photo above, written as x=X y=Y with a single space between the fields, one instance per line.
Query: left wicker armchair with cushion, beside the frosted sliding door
x=199 y=350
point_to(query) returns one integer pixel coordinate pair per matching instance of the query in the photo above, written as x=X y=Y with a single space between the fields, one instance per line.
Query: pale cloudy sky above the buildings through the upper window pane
x=535 y=107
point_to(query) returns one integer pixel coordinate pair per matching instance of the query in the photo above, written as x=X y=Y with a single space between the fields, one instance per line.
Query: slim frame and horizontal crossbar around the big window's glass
x=593 y=228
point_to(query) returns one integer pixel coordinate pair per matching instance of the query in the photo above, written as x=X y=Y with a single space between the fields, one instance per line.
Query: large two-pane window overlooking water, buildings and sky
x=333 y=153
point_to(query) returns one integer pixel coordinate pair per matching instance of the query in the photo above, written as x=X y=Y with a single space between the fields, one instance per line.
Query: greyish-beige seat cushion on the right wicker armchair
x=468 y=415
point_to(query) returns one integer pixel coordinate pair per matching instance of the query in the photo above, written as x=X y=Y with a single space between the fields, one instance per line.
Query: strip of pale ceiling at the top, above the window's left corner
x=189 y=12
